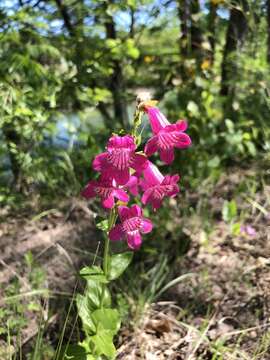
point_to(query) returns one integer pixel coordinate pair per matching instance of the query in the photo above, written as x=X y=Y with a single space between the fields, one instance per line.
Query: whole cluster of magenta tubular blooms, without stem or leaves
x=124 y=172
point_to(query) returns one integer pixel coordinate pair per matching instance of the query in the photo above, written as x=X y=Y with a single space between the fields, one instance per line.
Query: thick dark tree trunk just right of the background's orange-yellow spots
x=236 y=32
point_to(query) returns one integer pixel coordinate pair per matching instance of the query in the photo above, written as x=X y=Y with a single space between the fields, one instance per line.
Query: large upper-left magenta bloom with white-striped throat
x=119 y=158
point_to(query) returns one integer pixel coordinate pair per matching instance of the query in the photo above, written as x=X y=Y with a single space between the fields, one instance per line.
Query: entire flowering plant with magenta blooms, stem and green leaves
x=127 y=182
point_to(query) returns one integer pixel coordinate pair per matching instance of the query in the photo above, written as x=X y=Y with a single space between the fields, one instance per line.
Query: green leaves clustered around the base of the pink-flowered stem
x=100 y=322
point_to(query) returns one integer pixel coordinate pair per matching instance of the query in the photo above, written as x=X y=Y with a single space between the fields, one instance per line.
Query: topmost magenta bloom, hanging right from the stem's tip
x=166 y=136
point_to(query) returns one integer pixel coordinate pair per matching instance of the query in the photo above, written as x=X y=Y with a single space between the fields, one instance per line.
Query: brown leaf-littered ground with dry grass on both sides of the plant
x=222 y=311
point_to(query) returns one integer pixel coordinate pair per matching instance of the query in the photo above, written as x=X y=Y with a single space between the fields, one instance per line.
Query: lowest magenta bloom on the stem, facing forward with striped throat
x=131 y=226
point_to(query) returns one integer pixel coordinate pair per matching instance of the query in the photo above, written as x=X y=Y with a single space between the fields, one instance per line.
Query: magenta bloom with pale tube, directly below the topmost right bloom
x=156 y=186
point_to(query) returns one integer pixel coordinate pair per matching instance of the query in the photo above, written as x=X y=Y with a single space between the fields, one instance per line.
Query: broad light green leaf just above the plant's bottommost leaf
x=107 y=319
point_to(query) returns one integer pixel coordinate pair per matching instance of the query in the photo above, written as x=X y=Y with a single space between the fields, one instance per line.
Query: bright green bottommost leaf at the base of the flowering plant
x=103 y=344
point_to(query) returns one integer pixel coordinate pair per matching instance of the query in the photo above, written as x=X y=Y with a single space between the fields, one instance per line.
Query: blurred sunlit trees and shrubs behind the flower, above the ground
x=70 y=71
